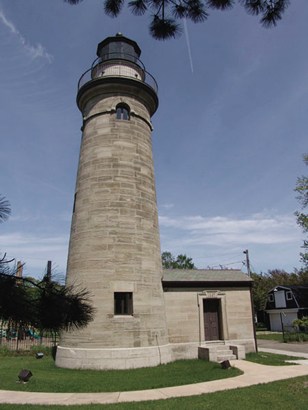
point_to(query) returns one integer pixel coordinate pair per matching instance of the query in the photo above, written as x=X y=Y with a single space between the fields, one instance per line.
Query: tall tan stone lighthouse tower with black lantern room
x=114 y=249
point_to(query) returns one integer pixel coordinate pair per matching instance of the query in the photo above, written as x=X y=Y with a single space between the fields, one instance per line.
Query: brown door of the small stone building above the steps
x=211 y=319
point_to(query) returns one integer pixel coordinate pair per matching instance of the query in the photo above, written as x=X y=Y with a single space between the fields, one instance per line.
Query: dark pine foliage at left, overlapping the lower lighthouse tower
x=45 y=305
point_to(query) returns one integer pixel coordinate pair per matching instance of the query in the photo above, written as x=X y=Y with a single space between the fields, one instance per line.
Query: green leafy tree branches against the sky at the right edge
x=302 y=216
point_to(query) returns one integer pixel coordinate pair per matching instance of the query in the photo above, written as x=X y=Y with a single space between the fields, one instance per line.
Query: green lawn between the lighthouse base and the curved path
x=49 y=378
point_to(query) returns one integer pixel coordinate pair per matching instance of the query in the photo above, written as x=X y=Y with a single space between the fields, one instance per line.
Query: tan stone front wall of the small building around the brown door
x=185 y=323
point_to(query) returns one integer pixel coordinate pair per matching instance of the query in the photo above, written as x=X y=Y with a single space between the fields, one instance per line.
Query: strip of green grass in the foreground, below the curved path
x=285 y=394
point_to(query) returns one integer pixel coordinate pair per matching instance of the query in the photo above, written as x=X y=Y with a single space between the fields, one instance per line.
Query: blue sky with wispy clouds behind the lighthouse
x=228 y=137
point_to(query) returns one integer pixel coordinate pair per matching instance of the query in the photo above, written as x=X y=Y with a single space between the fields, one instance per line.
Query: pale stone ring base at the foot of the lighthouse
x=107 y=359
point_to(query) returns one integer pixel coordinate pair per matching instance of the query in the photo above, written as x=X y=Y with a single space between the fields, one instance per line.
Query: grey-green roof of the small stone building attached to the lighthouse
x=197 y=277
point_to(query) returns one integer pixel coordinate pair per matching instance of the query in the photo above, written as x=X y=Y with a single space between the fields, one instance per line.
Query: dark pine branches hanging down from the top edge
x=166 y=14
